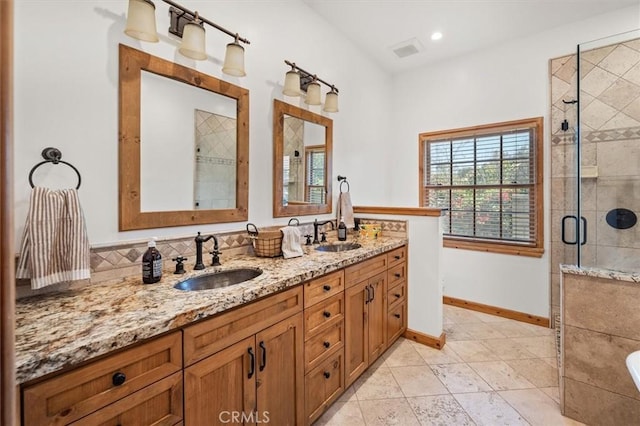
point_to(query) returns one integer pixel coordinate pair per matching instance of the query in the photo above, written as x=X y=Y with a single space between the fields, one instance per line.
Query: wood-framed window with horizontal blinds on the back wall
x=489 y=179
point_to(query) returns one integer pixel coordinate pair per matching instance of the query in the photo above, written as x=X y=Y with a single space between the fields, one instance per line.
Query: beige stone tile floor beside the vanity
x=492 y=371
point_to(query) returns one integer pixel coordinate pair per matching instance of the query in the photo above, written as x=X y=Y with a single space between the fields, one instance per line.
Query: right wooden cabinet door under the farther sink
x=377 y=316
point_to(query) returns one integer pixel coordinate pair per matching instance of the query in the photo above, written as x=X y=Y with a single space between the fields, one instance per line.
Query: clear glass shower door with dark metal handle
x=605 y=233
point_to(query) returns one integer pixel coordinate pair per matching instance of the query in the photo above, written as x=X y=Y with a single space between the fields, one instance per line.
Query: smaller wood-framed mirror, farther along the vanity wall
x=302 y=153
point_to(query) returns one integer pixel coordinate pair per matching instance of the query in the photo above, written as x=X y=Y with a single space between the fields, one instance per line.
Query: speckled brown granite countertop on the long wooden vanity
x=57 y=331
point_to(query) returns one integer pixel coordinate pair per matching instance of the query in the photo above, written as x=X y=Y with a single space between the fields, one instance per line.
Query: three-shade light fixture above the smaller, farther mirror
x=298 y=80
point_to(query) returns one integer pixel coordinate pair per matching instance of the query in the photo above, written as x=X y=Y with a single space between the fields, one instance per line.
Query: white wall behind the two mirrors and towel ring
x=66 y=93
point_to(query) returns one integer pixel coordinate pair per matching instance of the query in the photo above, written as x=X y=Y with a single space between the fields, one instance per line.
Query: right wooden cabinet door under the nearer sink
x=280 y=373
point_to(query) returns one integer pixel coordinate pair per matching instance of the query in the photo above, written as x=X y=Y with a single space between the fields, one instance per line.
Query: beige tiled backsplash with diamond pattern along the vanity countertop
x=119 y=261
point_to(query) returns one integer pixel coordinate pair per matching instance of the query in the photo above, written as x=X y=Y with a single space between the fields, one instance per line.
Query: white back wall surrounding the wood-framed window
x=504 y=83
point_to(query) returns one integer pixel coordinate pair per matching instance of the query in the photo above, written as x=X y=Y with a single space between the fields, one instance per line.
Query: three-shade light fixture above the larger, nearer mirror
x=188 y=25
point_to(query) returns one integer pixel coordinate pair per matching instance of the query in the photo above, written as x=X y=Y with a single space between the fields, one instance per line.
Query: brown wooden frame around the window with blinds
x=533 y=249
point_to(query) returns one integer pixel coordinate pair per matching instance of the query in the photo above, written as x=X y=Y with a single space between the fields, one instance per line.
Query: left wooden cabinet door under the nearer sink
x=222 y=386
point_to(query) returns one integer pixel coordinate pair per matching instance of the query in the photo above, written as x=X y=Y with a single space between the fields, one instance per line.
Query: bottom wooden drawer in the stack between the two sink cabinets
x=323 y=385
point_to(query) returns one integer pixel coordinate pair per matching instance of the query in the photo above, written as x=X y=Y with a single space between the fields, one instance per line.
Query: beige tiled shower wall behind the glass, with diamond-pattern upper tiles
x=610 y=128
